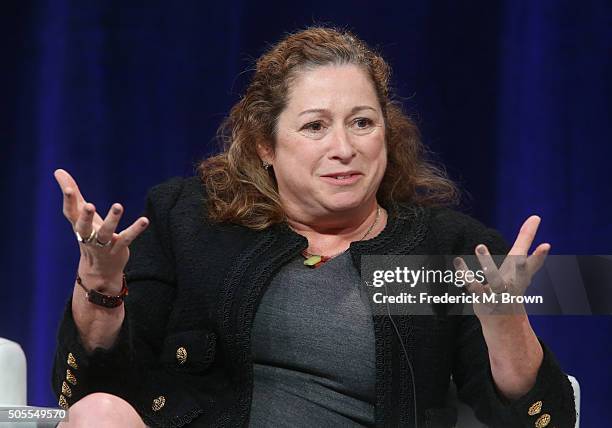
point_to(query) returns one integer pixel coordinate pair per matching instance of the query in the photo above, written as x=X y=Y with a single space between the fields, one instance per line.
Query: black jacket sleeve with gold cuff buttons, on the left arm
x=131 y=368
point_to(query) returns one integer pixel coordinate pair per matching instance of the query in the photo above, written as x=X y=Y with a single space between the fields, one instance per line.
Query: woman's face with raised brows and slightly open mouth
x=330 y=153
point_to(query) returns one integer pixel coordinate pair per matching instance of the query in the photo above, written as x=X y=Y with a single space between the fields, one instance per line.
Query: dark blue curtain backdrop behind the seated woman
x=514 y=97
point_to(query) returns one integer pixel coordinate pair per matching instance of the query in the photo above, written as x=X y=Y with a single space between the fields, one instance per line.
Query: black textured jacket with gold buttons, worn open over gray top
x=183 y=354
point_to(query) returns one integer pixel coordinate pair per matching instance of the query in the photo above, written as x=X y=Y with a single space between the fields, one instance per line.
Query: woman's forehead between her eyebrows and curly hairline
x=331 y=87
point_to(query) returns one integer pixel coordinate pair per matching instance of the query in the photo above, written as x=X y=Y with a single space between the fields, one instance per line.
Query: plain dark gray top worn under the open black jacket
x=313 y=348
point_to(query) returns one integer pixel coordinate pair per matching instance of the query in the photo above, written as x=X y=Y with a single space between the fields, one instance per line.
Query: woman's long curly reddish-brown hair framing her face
x=241 y=191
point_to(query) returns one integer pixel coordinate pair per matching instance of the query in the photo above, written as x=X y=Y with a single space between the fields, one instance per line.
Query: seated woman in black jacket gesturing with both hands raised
x=243 y=305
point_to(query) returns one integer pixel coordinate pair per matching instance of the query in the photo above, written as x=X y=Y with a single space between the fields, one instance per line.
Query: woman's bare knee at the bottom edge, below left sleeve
x=102 y=410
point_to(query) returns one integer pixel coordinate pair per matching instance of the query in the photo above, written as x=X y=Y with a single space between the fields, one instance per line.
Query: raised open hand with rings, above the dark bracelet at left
x=104 y=253
